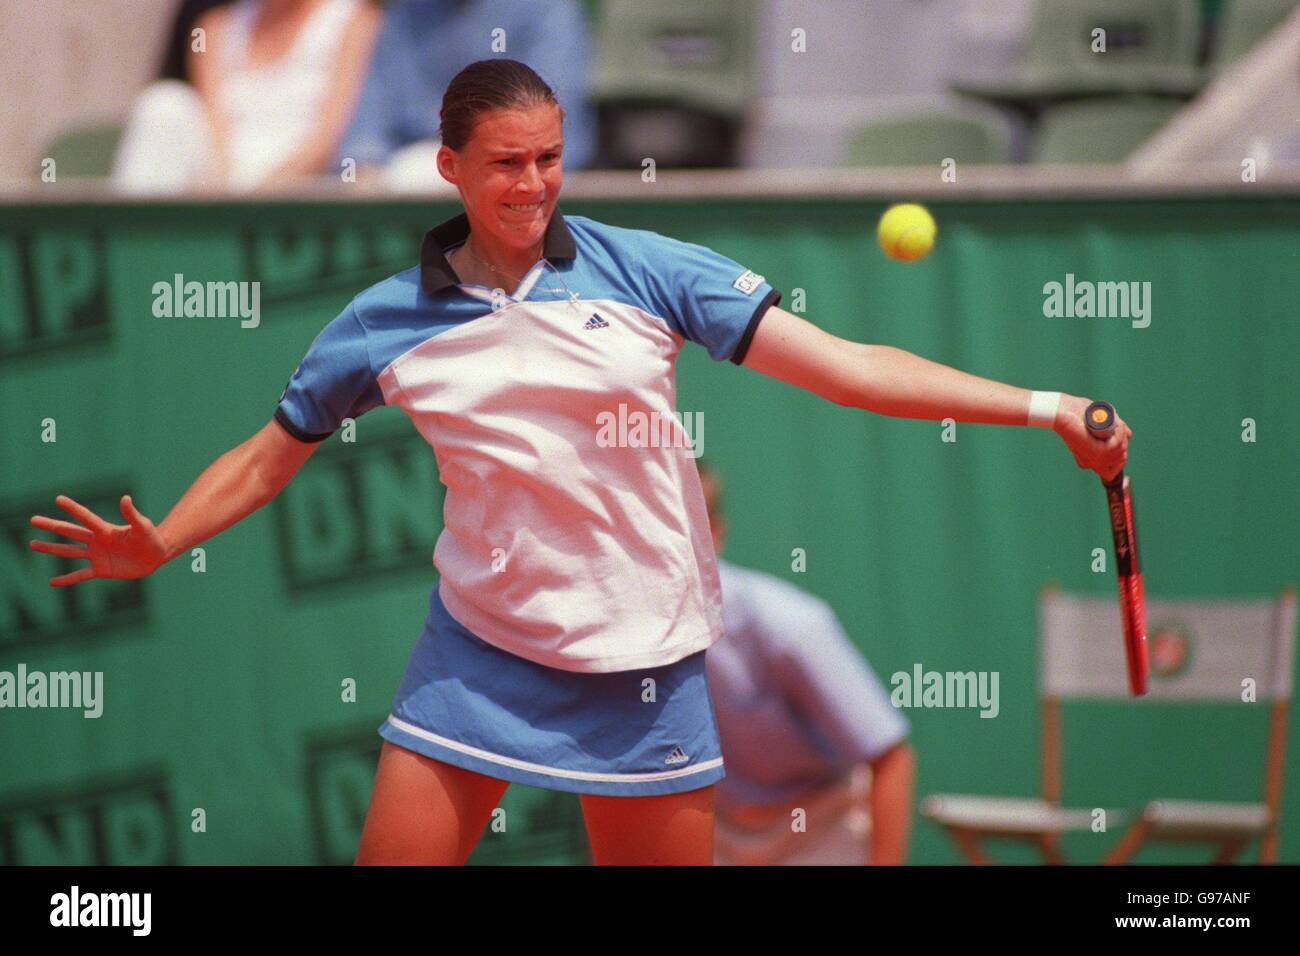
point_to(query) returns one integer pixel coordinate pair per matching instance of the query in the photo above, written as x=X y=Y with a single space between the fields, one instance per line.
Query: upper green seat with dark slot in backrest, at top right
x=1152 y=47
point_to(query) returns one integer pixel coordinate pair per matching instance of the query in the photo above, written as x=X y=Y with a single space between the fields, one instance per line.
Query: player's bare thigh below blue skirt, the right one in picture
x=673 y=830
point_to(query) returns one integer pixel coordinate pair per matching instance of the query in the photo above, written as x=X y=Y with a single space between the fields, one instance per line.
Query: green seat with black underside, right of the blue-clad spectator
x=673 y=81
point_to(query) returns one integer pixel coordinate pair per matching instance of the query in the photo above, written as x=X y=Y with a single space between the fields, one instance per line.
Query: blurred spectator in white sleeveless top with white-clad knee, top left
x=275 y=83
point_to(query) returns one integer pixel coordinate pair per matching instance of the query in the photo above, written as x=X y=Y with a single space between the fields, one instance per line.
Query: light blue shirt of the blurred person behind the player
x=798 y=706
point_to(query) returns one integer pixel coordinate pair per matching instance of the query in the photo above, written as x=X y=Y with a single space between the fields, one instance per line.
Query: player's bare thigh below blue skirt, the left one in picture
x=424 y=812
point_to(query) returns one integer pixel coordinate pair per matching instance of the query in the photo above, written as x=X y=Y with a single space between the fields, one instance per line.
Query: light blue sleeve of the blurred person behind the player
x=830 y=685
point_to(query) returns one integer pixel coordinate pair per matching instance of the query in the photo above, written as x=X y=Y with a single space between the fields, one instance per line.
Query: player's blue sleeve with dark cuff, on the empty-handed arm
x=333 y=383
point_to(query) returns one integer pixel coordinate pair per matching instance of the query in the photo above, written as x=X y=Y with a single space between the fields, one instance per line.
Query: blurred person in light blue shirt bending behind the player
x=805 y=725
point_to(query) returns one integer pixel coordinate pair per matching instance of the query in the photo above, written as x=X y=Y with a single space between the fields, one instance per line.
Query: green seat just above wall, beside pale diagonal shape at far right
x=1100 y=131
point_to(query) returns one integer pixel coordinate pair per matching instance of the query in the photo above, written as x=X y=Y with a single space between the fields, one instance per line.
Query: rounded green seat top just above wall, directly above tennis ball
x=928 y=140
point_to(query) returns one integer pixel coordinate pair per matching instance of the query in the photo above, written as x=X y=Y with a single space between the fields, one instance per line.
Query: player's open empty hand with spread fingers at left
x=115 y=551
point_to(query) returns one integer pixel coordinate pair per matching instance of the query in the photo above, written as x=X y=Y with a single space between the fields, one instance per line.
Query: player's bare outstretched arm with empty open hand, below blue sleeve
x=231 y=490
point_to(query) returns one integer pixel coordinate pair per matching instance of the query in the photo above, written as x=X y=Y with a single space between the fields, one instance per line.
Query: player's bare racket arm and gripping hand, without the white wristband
x=894 y=382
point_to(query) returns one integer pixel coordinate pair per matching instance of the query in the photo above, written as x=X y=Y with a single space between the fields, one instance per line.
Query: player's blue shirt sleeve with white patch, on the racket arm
x=709 y=299
